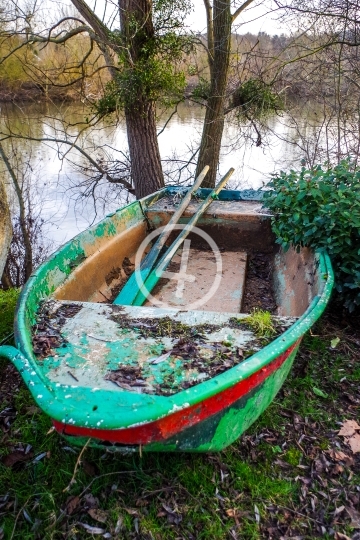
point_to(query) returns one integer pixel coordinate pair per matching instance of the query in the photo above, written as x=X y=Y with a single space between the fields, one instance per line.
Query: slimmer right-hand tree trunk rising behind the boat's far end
x=214 y=117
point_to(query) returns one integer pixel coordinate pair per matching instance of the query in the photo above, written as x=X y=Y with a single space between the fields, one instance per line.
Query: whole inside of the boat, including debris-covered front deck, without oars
x=181 y=337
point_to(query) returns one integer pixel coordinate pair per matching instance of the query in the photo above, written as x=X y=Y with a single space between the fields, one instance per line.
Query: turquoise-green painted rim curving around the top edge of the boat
x=52 y=403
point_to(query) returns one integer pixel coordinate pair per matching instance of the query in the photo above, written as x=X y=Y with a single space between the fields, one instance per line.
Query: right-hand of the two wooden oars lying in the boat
x=155 y=275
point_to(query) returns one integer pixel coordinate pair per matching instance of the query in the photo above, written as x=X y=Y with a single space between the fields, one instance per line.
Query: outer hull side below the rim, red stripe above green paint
x=208 y=426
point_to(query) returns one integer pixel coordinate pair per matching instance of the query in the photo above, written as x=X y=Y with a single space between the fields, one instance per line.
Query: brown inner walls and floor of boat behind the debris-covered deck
x=238 y=229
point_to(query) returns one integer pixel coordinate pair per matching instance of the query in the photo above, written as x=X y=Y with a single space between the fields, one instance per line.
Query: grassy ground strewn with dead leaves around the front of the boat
x=277 y=481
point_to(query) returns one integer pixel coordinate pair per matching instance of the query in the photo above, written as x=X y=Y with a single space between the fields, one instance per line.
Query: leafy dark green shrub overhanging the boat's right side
x=320 y=208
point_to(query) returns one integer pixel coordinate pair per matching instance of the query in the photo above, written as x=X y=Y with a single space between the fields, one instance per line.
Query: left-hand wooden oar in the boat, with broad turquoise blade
x=130 y=290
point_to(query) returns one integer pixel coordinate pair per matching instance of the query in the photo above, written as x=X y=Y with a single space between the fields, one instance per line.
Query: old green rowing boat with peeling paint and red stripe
x=185 y=371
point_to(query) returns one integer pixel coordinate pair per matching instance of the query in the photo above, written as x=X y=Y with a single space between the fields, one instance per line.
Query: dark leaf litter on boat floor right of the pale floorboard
x=259 y=291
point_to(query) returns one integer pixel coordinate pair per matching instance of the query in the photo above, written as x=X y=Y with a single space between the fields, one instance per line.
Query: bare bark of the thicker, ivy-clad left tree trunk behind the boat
x=146 y=170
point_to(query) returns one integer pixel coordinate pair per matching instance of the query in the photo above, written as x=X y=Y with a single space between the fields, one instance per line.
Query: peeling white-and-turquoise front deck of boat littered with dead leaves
x=143 y=350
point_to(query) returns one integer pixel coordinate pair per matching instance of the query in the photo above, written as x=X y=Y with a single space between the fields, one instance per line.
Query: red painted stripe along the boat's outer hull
x=162 y=429
